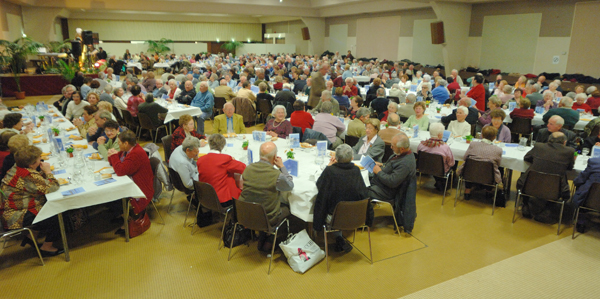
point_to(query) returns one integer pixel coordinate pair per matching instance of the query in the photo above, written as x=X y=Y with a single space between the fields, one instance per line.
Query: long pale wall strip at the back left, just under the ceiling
x=177 y=31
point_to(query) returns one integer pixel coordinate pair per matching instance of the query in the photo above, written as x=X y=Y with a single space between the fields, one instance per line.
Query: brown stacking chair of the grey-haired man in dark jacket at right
x=544 y=186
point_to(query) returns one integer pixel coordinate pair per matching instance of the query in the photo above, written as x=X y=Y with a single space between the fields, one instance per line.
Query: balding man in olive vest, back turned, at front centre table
x=263 y=184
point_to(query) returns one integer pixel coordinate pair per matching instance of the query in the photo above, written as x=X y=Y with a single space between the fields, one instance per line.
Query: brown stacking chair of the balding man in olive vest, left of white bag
x=254 y=217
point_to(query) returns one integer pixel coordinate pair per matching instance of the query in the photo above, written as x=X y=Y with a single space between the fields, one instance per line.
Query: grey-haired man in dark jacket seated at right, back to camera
x=553 y=157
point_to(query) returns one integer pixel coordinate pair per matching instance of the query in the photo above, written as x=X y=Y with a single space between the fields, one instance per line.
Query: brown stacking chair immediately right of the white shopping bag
x=348 y=215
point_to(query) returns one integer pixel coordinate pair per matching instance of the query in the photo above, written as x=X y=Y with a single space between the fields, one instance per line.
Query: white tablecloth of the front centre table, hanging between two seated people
x=302 y=197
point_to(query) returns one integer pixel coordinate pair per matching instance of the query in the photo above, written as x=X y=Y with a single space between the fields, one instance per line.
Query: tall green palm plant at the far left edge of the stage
x=14 y=55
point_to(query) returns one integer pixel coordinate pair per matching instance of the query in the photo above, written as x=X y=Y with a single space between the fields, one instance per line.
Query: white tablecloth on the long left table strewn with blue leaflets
x=93 y=195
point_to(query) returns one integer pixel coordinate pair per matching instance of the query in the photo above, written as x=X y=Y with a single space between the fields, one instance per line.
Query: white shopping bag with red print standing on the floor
x=302 y=252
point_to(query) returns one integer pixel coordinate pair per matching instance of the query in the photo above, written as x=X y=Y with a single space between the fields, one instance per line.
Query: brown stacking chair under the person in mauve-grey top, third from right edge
x=479 y=172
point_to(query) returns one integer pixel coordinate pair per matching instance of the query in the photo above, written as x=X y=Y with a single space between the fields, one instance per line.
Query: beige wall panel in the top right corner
x=585 y=45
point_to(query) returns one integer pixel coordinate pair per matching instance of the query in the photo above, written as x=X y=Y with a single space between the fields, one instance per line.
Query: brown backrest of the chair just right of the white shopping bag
x=349 y=215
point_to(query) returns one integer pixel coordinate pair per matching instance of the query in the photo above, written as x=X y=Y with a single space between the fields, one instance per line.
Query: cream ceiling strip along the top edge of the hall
x=230 y=11
